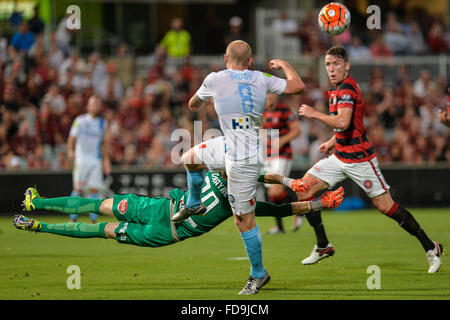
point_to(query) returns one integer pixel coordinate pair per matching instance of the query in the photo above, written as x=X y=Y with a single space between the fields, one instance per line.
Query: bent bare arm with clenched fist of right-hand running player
x=340 y=121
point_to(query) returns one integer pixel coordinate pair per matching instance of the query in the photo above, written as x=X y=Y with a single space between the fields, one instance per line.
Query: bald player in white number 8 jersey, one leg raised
x=239 y=96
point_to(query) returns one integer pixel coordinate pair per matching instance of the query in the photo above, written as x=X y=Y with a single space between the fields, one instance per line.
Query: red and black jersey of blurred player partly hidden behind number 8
x=278 y=119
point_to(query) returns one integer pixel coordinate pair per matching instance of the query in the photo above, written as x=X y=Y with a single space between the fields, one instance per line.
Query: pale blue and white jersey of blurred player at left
x=89 y=133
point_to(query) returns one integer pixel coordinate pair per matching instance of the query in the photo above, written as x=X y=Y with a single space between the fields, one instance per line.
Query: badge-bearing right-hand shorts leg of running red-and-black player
x=368 y=176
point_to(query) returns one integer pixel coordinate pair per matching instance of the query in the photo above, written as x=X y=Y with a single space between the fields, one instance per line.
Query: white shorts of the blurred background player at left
x=88 y=174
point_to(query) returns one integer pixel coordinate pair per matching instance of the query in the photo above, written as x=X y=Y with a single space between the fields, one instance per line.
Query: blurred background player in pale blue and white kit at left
x=88 y=146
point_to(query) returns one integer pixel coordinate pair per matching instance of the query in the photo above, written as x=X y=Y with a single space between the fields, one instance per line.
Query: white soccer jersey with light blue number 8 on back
x=239 y=101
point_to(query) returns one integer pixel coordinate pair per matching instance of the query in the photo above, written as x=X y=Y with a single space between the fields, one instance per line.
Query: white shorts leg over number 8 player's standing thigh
x=242 y=182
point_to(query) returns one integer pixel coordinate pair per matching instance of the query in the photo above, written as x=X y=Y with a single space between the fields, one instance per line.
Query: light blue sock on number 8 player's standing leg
x=253 y=246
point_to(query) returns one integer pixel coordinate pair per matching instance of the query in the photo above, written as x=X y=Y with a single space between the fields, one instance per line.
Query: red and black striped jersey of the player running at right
x=351 y=144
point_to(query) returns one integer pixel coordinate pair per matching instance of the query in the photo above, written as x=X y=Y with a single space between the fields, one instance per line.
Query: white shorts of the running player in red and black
x=366 y=174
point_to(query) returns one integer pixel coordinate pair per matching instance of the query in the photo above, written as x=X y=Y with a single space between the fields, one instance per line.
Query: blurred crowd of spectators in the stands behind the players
x=44 y=85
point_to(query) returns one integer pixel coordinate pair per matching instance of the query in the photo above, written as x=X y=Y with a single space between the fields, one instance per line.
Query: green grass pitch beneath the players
x=33 y=266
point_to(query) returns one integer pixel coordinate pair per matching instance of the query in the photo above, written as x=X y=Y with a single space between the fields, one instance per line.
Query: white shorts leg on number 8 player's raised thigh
x=212 y=153
